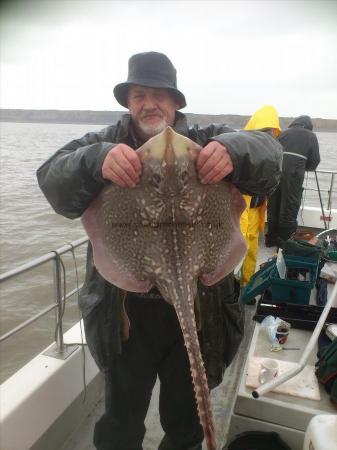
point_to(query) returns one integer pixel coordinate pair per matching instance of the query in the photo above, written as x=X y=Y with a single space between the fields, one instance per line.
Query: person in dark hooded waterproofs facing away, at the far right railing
x=301 y=153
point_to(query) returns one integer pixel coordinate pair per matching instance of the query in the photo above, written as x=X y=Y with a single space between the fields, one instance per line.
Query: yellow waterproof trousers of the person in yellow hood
x=251 y=221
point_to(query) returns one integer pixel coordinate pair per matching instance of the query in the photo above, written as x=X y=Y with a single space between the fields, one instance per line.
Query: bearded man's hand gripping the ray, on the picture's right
x=214 y=163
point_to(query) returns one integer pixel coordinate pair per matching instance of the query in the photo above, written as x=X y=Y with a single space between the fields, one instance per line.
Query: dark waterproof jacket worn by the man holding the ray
x=72 y=178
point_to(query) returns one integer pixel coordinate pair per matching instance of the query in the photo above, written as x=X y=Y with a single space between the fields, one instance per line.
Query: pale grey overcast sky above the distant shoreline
x=232 y=57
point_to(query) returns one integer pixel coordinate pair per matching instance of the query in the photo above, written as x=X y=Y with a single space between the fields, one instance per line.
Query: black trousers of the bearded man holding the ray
x=155 y=348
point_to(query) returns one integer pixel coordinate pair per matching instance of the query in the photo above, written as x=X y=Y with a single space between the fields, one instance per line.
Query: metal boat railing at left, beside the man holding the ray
x=59 y=296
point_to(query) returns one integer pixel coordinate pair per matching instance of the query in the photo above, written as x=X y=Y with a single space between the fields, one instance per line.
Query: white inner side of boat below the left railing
x=42 y=402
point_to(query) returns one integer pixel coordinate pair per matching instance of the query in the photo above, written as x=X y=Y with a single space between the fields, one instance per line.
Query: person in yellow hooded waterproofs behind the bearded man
x=253 y=218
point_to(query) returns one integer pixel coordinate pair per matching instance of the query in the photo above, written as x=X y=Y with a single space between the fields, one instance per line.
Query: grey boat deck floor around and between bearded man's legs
x=223 y=397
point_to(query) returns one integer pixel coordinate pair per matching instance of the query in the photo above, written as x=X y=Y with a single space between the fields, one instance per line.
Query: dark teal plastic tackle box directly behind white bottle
x=294 y=291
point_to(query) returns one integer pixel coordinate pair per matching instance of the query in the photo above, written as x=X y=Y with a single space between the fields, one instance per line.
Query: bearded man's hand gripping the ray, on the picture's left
x=122 y=166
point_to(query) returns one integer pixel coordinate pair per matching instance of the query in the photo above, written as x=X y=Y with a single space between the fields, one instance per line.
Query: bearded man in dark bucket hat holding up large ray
x=72 y=178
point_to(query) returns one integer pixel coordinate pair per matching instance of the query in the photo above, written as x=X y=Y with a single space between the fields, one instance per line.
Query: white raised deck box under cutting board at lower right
x=289 y=409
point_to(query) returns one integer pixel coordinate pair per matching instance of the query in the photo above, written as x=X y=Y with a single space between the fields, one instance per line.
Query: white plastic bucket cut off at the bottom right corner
x=321 y=433
